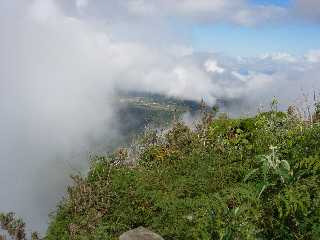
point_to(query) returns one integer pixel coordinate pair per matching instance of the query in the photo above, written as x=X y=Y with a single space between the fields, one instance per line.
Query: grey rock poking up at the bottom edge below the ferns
x=140 y=233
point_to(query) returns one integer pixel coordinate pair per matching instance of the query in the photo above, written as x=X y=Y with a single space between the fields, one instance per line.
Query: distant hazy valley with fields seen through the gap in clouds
x=138 y=110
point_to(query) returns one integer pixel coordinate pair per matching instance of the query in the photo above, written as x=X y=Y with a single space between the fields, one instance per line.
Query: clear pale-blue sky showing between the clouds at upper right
x=294 y=36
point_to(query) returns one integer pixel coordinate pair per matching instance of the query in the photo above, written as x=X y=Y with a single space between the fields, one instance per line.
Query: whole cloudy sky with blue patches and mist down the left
x=62 y=64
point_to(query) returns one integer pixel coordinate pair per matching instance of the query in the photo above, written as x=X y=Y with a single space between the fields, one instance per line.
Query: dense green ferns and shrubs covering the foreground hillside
x=252 y=178
